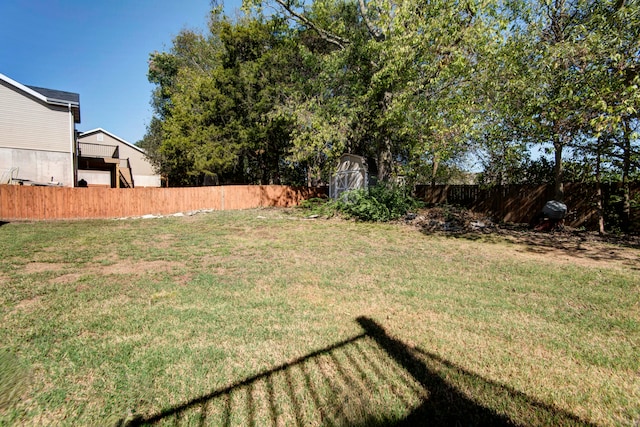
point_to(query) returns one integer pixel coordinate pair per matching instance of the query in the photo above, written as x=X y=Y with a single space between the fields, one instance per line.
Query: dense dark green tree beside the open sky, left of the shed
x=215 y=99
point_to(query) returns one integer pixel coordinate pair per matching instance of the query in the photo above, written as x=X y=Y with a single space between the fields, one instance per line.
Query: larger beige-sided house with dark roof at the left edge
x=37 y=134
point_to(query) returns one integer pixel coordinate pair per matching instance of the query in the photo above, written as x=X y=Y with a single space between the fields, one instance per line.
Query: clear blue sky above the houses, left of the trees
x=98 y=49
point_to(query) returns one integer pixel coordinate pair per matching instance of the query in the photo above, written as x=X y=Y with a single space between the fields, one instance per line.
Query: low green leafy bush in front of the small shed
x=381 y=203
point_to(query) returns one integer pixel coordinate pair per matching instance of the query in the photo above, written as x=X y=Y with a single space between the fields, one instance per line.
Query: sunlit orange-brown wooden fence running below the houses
x=45 y=203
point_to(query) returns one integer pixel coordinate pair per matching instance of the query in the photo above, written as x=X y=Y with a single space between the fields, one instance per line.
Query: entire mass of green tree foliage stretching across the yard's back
x=277 y=97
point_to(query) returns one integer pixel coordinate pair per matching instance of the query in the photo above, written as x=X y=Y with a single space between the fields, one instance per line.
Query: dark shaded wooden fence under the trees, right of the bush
x=521 y=203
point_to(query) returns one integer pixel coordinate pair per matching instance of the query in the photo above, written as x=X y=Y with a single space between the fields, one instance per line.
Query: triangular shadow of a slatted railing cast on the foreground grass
x=371 y=379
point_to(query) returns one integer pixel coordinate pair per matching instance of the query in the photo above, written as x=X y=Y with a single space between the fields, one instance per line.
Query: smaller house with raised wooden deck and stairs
x=107 y=160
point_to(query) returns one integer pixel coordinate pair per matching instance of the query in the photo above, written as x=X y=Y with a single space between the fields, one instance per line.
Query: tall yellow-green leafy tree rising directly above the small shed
x=393 y=83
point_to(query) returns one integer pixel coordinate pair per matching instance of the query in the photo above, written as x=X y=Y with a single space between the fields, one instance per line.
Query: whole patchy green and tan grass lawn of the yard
x=263 y=318
